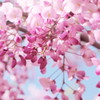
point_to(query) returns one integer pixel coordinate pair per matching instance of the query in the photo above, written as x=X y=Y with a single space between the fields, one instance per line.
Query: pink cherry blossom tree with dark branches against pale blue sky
x=34 y=32
